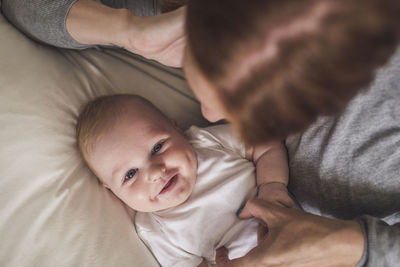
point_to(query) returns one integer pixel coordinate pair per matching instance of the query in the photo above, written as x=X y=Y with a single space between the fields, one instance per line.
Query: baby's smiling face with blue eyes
x=146 y=162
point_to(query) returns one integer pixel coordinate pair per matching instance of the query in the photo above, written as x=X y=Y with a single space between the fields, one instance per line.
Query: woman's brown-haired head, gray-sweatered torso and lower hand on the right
x=272 y=68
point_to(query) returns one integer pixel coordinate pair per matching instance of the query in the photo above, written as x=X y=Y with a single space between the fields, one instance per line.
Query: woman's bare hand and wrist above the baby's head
x=161 y=37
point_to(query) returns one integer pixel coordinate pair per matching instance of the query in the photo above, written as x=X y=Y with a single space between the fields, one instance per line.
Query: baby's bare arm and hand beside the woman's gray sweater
x=272 y=172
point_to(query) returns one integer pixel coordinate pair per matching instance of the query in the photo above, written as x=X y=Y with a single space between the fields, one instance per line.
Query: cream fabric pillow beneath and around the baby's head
x=53 y=212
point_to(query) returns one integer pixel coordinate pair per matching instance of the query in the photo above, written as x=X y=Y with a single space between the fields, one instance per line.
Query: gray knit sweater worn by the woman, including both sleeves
x=345 y=167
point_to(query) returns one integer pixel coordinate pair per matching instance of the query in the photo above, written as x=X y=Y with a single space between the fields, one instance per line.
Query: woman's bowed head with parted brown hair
x=271 y=67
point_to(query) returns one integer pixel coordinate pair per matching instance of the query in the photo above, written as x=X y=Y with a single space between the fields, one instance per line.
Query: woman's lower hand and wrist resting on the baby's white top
x=297 y=238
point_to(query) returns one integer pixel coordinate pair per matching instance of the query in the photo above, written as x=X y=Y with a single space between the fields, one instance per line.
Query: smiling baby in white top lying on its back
x=187 y=187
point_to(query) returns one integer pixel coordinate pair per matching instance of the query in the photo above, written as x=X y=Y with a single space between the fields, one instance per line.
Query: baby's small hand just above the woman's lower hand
x=276 y=193
